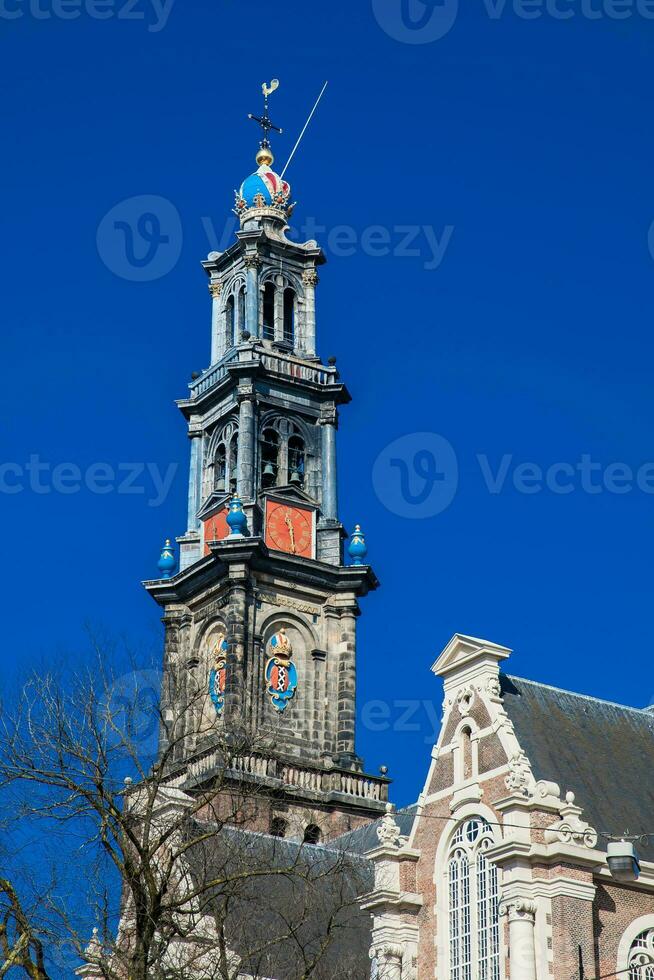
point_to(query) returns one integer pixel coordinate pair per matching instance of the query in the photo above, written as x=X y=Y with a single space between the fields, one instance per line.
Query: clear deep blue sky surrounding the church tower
x=531 y=138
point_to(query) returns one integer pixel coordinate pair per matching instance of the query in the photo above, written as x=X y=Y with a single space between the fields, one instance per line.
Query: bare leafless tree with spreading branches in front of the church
x=203 y=893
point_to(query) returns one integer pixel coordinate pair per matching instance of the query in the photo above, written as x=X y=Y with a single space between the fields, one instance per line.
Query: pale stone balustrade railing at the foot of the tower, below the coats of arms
x=290 y=773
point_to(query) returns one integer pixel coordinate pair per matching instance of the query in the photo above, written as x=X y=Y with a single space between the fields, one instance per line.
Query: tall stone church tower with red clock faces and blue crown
x=260 y=619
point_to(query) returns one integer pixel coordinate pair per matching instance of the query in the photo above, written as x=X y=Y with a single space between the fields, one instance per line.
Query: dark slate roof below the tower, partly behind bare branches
x=278 y=884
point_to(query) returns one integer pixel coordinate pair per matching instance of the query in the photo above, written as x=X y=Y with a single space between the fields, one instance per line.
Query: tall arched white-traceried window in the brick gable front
x=473 y=897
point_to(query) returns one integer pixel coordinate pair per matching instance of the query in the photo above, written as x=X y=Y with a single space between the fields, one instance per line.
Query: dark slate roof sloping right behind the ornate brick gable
x=603 y=752
